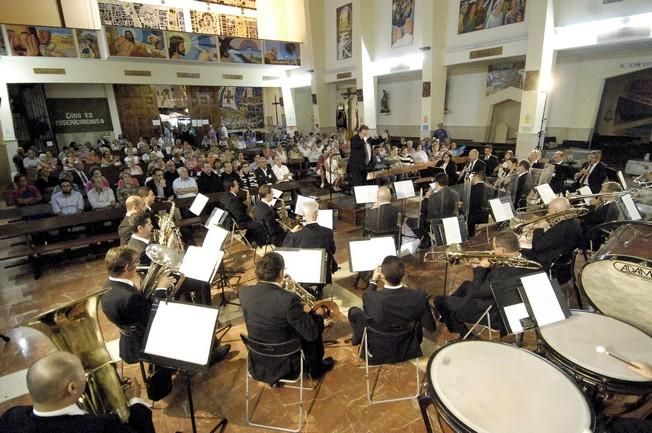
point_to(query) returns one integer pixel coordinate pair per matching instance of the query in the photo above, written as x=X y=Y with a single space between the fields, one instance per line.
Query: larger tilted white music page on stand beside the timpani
x=543 y=301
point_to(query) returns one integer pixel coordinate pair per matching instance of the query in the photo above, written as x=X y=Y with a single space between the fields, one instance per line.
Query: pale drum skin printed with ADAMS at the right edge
x=620 y=288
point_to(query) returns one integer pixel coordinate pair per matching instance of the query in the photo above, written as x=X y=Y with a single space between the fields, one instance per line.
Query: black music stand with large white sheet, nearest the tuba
x=180 y=336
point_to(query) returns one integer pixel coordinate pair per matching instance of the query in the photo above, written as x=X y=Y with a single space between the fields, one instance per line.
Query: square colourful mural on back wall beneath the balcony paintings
x=242 y=107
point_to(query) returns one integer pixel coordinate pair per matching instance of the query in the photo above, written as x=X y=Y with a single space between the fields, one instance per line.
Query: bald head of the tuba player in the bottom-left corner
x=56 y=379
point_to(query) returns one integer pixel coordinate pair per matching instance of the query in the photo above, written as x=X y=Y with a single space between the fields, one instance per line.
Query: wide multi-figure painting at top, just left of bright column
x=485 y=14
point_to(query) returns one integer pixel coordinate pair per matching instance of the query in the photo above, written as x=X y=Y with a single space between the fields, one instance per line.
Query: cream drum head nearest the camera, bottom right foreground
x=498 y=388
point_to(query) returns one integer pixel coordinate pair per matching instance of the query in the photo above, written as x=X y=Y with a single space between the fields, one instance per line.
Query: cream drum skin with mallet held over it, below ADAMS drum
x=577 y=337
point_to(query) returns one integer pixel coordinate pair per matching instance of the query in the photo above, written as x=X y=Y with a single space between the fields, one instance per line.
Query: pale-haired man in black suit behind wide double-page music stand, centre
x=312 y=235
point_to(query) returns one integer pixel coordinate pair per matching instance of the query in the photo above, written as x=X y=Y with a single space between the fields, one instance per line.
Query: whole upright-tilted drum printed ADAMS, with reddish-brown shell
x=618 y=278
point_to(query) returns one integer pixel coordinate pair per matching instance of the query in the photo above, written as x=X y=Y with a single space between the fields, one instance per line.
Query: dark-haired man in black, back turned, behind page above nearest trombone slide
x=442 y=202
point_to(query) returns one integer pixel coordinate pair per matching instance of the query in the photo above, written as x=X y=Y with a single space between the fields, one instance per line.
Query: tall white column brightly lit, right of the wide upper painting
x=541 y=58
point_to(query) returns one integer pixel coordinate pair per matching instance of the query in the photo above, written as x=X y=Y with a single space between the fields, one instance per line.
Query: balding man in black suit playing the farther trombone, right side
x=557 y=241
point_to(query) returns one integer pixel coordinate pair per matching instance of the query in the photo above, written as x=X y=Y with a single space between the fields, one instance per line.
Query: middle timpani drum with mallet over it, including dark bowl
x=571 y=344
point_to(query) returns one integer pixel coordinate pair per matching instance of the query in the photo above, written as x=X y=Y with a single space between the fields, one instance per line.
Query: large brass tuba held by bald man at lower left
x=74 y=328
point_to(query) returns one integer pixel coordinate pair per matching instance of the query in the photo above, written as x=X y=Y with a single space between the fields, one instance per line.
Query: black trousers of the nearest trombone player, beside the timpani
x=460 y=308
